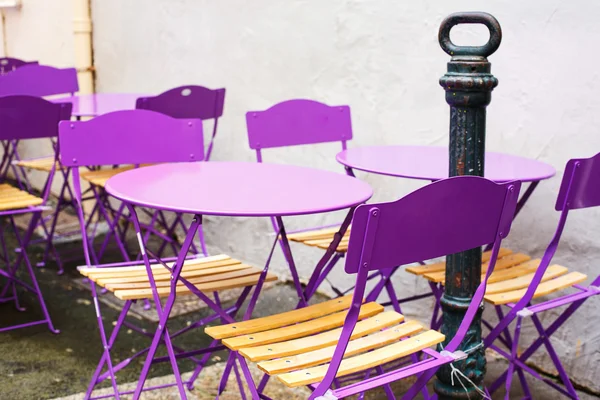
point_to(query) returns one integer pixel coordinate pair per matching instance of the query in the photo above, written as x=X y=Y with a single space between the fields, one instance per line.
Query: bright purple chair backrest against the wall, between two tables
x=298 y=122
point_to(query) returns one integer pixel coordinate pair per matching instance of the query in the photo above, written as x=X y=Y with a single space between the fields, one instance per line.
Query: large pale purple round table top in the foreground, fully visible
x=238 y=189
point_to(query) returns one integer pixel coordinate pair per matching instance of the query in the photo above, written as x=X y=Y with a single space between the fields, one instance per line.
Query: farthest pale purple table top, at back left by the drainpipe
x=92 y=105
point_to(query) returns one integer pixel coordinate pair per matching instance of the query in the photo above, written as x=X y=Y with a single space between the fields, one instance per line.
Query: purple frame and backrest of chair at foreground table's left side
x=92 y=143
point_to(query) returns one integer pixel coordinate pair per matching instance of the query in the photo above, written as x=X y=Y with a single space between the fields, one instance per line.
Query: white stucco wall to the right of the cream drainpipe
x=382 y=58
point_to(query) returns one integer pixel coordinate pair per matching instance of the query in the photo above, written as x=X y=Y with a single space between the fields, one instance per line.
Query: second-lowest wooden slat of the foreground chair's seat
x=357 y=346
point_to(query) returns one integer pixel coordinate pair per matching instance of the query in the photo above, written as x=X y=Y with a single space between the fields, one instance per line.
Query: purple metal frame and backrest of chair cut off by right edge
x=579 y=189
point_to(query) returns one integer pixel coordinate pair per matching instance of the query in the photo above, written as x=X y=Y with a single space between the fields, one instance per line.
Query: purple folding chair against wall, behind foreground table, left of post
x=302 y=122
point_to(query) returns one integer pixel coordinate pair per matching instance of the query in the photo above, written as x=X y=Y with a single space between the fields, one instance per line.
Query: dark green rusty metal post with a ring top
x=468 y=85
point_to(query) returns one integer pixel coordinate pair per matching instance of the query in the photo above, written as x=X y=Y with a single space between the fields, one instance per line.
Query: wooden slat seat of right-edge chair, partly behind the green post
x=511 y=277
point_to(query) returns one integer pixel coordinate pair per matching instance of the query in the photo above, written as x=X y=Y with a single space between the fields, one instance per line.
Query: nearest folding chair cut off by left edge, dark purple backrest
x=22 y=118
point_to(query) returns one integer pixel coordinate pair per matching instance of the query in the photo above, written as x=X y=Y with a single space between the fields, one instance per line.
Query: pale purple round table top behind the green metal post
x=431 y=163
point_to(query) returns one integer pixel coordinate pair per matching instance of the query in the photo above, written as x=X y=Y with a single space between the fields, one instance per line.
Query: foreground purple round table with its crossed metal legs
x=235 y=189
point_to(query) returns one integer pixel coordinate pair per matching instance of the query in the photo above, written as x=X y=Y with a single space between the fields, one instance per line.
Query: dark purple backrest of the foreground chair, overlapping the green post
x=445 y=217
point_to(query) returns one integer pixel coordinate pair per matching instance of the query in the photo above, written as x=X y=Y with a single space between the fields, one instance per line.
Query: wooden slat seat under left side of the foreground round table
x=207 y=274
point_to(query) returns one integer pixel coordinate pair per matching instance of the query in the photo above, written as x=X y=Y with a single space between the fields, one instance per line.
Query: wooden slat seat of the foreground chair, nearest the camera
x=298 y=345
